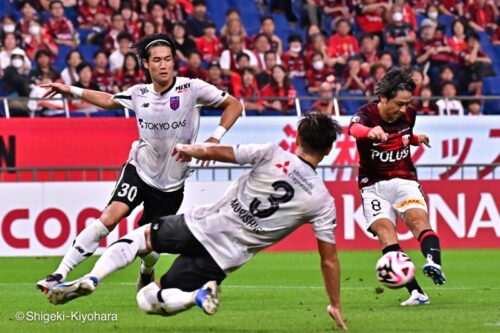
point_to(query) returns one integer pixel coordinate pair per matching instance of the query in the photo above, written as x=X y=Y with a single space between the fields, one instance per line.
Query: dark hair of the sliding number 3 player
x=318 y=132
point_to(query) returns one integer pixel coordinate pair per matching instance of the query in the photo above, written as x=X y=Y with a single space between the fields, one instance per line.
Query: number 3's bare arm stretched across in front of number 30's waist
x=204 y=152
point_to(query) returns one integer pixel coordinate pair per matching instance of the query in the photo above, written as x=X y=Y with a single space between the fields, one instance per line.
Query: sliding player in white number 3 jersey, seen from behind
x=280 y=193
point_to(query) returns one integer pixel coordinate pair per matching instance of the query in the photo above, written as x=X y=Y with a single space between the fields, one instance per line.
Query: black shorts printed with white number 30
x=132 y=191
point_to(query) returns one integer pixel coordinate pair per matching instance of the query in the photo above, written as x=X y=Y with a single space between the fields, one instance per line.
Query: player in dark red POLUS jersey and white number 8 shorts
x=387 y=177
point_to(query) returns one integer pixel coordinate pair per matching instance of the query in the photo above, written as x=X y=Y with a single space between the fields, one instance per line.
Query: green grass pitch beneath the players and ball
x=275 y=292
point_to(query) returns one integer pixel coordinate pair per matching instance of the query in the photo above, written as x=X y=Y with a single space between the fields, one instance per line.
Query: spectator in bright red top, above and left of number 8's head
x=342 y=45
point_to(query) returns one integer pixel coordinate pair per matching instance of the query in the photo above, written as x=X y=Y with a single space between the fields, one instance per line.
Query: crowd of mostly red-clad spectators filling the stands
x=330 y=48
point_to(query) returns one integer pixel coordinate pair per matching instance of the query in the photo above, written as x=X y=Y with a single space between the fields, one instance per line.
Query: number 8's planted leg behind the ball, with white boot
x=386 y=233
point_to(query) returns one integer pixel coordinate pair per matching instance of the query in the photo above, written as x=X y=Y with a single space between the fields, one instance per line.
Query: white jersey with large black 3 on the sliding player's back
x=280 y=193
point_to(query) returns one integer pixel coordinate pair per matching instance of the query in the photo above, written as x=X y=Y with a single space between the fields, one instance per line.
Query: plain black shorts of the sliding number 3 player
x=195 y=266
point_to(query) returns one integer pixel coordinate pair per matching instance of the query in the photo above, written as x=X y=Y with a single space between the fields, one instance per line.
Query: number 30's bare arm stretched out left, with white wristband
x=98 y=98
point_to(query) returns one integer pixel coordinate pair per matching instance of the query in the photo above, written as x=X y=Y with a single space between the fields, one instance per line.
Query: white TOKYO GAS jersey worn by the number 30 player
x=165 y=119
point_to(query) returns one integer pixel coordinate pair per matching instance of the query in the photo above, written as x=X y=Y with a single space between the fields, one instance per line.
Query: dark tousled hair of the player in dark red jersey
x=396 y=79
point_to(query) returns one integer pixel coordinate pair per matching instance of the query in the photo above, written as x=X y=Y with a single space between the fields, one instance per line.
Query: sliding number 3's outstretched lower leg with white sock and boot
x=117 y=256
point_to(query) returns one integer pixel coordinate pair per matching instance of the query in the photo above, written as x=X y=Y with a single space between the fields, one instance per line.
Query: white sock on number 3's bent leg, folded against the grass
x=172 y=300
